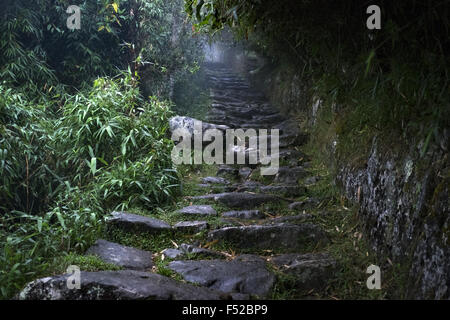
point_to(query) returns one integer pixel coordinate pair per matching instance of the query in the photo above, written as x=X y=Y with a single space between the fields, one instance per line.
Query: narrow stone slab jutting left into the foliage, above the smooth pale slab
x=133 y=222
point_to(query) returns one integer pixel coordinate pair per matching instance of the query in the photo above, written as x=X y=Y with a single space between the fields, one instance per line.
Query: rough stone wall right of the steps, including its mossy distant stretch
x=403 y=197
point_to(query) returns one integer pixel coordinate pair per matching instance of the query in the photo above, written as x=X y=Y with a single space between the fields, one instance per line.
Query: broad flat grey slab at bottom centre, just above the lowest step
x=246 y=274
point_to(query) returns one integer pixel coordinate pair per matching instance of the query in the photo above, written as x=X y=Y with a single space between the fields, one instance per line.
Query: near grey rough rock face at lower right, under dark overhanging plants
x=405 y=209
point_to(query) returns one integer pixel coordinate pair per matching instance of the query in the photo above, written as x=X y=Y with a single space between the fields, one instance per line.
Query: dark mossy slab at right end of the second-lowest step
x=311 y=271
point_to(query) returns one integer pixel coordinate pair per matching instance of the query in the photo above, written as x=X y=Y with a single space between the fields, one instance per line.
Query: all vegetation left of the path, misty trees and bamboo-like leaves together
x=83 y=122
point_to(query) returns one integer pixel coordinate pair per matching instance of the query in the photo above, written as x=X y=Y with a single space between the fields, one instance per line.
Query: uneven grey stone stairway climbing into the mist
x=289 y=239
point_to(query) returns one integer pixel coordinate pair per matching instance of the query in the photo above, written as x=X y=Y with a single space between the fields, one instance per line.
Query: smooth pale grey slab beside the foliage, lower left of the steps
x=122 y=256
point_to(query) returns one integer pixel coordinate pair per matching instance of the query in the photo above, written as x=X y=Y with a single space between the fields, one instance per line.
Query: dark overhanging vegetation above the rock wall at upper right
x=371 y=82
